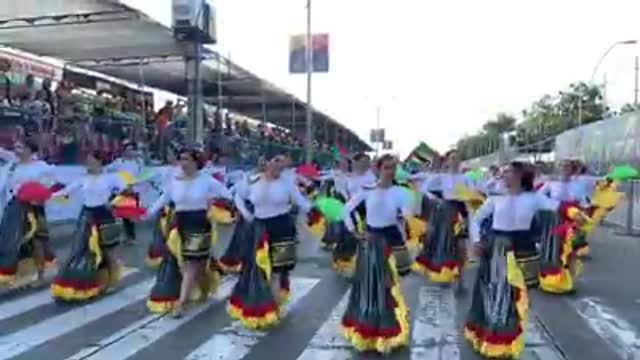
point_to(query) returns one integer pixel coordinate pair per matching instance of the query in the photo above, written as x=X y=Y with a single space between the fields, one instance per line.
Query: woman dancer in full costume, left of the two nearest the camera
x=376 y=317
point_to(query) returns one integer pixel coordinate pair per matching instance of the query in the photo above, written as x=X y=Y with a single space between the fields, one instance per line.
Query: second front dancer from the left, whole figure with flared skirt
x=92 y=267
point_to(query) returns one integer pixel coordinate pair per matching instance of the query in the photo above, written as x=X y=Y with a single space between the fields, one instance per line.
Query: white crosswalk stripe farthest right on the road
x=621 y=336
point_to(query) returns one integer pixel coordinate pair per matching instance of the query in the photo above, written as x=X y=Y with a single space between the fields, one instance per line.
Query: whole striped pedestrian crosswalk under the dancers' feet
x=118 y=327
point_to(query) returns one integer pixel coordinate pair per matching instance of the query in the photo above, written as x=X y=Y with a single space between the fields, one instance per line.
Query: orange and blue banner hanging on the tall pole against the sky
x=298 y=56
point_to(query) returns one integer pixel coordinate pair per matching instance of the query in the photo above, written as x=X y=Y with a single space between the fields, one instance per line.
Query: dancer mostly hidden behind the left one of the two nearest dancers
x=344 y=252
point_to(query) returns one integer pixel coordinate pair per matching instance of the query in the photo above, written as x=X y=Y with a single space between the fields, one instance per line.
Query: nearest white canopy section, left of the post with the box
x=76 y=30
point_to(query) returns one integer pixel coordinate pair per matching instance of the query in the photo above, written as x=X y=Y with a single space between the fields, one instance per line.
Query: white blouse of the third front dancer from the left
x=191 y=194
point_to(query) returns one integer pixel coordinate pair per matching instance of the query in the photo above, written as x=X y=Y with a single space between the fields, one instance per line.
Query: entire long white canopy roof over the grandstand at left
x=111 y=38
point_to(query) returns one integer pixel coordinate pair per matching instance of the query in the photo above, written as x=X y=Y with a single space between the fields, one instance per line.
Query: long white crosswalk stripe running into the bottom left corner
x=22 y=341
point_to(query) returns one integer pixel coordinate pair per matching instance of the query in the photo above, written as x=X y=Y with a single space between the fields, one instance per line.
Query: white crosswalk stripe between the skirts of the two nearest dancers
x=435 y=334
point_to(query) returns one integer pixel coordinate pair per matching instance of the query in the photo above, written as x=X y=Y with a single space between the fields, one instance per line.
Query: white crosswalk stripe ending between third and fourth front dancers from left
x=134 y=339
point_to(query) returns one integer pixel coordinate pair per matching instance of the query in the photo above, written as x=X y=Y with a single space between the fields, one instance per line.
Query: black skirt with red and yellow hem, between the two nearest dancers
x=440 y=258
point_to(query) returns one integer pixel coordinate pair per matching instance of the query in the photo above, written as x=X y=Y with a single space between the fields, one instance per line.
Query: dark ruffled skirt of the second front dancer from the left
x=86 y=274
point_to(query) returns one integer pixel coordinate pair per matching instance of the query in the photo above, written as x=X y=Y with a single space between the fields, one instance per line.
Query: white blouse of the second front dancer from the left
x=96 y=189
